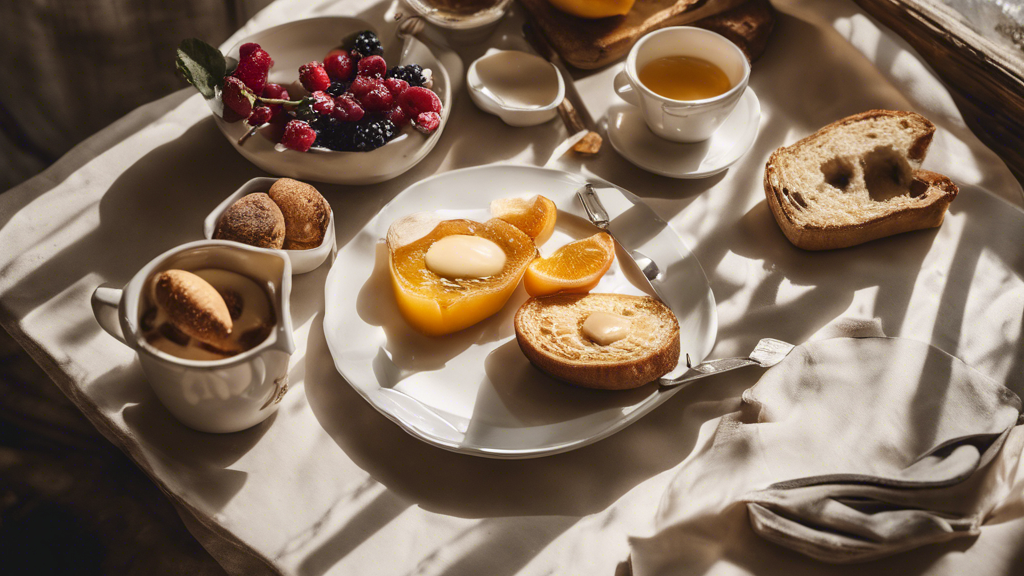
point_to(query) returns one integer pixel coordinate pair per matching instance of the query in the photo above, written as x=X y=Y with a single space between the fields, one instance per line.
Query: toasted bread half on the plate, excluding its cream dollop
x=550 y=333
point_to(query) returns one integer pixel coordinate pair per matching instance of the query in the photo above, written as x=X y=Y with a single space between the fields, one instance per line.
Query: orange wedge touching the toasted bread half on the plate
x=578 y=267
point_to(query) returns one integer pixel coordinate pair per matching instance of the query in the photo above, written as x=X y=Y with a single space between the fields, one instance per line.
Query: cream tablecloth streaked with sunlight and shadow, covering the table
x=330 y=486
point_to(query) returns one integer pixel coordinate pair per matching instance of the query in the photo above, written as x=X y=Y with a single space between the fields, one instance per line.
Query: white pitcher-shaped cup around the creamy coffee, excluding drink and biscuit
x=221 y=396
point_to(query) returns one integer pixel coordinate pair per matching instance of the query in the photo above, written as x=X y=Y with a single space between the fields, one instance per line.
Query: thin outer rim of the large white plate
x=663 y=395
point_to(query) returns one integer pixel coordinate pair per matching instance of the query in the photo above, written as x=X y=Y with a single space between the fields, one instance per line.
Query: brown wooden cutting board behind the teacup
x=594 y=44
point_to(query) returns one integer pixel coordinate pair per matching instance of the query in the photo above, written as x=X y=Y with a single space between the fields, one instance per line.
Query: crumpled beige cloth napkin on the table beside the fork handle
x=848 y=450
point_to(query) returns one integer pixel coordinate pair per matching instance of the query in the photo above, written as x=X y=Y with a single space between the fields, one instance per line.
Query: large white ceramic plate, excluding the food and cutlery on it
x=475 y=392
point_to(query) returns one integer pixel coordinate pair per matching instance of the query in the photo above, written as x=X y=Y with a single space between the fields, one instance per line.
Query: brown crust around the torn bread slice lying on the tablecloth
x=937 y=192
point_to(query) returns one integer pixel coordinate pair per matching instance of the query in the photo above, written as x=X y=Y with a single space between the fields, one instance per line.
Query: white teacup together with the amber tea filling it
x=686 y=80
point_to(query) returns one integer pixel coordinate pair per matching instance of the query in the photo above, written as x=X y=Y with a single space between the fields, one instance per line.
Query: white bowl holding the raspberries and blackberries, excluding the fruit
x=292 y=46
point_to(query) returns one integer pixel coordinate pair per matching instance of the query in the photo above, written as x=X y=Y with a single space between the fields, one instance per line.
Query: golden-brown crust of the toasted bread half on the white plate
x=617 y=375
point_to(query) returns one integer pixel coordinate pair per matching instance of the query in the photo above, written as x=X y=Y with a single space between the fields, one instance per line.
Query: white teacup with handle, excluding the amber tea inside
x=684 y=121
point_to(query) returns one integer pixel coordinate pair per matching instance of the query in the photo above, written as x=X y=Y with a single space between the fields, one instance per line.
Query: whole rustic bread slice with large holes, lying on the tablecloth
x=858 y=180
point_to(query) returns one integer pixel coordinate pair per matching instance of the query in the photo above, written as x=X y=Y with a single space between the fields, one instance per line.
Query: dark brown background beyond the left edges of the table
x=70 y=502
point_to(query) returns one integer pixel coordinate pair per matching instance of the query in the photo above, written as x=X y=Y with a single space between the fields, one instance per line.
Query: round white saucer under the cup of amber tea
x=631 y=138
